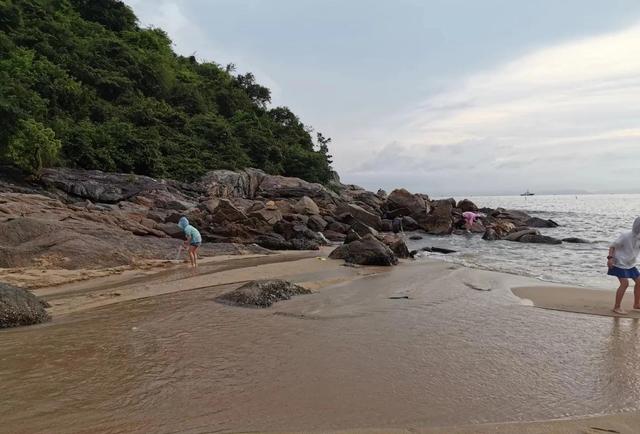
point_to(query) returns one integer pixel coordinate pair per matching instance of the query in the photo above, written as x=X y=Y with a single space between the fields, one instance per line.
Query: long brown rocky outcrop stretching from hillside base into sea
x=80 y=218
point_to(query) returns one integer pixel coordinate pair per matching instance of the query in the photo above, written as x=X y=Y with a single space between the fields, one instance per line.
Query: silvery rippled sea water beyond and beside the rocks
x=597 y=218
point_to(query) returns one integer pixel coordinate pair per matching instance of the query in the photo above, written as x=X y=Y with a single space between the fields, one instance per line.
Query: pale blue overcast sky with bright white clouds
x=441 y=96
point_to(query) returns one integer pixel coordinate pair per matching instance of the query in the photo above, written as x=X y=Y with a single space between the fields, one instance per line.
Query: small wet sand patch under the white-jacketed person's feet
x=579 y=300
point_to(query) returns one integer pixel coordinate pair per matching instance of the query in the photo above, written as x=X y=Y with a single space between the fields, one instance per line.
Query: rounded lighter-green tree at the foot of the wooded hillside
x=33 y=146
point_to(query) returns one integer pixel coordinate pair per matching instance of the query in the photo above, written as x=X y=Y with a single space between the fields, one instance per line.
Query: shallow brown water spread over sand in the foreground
x=346 y=357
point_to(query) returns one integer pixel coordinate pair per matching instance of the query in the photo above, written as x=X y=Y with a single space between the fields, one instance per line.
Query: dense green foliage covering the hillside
x=81 y=84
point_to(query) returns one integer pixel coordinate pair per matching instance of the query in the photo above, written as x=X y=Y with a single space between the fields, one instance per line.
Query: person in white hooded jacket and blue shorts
x=623 y=254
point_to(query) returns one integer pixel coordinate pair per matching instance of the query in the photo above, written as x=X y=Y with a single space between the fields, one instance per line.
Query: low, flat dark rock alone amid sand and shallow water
x=262 y=293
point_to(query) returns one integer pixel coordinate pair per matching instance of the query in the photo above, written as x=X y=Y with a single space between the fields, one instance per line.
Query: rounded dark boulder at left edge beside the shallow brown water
x=19 y=307
